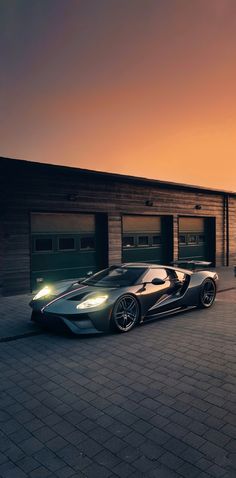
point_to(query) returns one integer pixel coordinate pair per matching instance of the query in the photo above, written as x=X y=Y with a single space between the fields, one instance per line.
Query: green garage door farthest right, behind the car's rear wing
x=196 y=238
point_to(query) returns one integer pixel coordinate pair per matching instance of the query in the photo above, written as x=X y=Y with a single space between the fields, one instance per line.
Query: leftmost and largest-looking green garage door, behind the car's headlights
x=65 y=246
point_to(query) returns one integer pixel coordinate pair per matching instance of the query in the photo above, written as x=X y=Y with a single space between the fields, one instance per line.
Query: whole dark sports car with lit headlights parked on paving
x=120 y=297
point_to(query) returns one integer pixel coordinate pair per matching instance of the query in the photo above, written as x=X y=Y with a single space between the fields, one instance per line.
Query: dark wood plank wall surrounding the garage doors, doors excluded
x=28 y=187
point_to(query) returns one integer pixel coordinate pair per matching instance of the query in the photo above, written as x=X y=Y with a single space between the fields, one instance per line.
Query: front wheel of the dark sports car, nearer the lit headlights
x=125 y=314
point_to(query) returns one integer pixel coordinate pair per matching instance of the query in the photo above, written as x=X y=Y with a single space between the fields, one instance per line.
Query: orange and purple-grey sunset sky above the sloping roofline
x=140 y=87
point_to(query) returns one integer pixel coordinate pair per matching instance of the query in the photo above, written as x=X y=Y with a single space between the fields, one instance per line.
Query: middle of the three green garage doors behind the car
x=142 y=239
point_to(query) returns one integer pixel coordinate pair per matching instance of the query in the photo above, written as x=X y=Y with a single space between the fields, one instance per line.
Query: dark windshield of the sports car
x=116 y=277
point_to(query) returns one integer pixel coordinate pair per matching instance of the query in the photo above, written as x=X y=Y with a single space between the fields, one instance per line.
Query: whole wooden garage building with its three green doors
x=60 y=222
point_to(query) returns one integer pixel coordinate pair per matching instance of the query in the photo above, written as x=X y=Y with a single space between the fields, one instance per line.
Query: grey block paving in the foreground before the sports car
x=159 y=401
